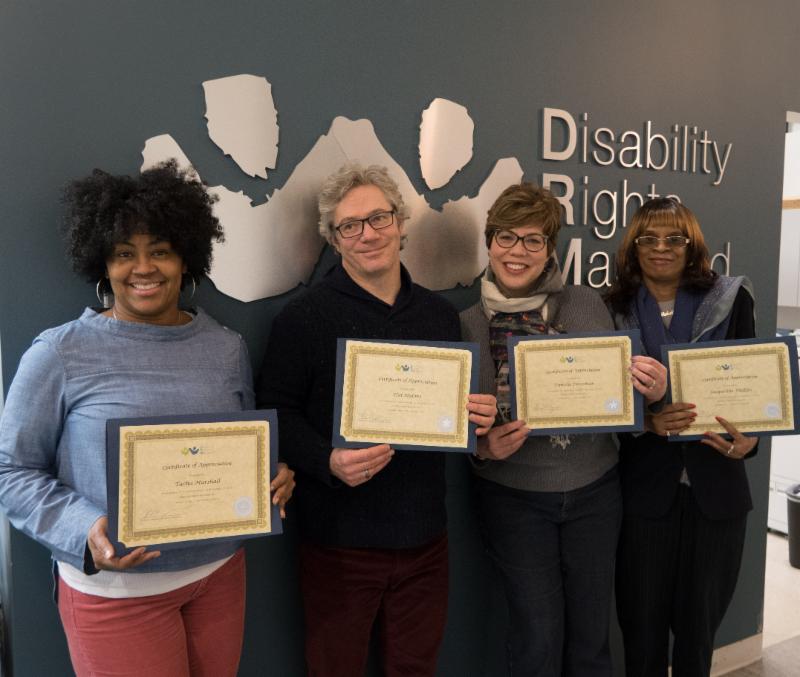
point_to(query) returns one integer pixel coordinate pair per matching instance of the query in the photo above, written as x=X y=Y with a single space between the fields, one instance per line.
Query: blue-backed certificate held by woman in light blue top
x=176 y=479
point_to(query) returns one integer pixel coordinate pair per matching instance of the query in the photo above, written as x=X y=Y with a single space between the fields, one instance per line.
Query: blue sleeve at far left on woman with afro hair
x=36 y=501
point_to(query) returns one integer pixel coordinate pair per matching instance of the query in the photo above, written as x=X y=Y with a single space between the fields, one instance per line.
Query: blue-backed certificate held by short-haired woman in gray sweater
x=577 y=383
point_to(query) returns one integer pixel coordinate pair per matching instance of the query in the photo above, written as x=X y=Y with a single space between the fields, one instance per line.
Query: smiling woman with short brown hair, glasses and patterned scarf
x=549 y=506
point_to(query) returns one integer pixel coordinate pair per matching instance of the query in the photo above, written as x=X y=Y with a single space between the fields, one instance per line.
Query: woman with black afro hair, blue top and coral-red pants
x=141 y=240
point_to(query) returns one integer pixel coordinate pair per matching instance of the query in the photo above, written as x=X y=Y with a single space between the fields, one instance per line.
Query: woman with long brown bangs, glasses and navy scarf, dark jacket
x=685 y=504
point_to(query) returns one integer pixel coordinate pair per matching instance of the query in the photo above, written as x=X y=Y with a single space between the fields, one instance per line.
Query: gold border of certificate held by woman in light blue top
x=261 y=523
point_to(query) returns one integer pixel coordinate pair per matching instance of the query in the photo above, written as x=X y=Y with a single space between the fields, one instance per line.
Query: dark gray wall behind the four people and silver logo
x=85 y=83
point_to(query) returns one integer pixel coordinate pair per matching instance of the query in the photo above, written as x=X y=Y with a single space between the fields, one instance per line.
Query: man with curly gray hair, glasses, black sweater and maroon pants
x=372 y=522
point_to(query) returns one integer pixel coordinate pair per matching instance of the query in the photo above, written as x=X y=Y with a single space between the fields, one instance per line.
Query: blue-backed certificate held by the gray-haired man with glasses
x=411 y=394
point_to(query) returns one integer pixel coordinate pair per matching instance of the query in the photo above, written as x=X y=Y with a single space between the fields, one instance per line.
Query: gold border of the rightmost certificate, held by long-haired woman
x=678 y=358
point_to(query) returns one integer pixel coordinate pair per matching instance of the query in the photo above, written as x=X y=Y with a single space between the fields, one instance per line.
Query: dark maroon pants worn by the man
x=346 y=589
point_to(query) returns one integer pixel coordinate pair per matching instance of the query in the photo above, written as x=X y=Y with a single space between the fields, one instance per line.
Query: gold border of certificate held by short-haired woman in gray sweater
x=626 y=415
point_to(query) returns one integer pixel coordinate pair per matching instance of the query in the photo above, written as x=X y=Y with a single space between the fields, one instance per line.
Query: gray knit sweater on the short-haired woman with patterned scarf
x=554 y=462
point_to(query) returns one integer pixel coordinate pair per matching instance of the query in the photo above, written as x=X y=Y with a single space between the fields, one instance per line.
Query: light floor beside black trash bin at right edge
x=781 y=656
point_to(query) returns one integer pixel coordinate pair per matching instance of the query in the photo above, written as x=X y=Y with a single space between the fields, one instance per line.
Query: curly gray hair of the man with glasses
x=347 y=177
